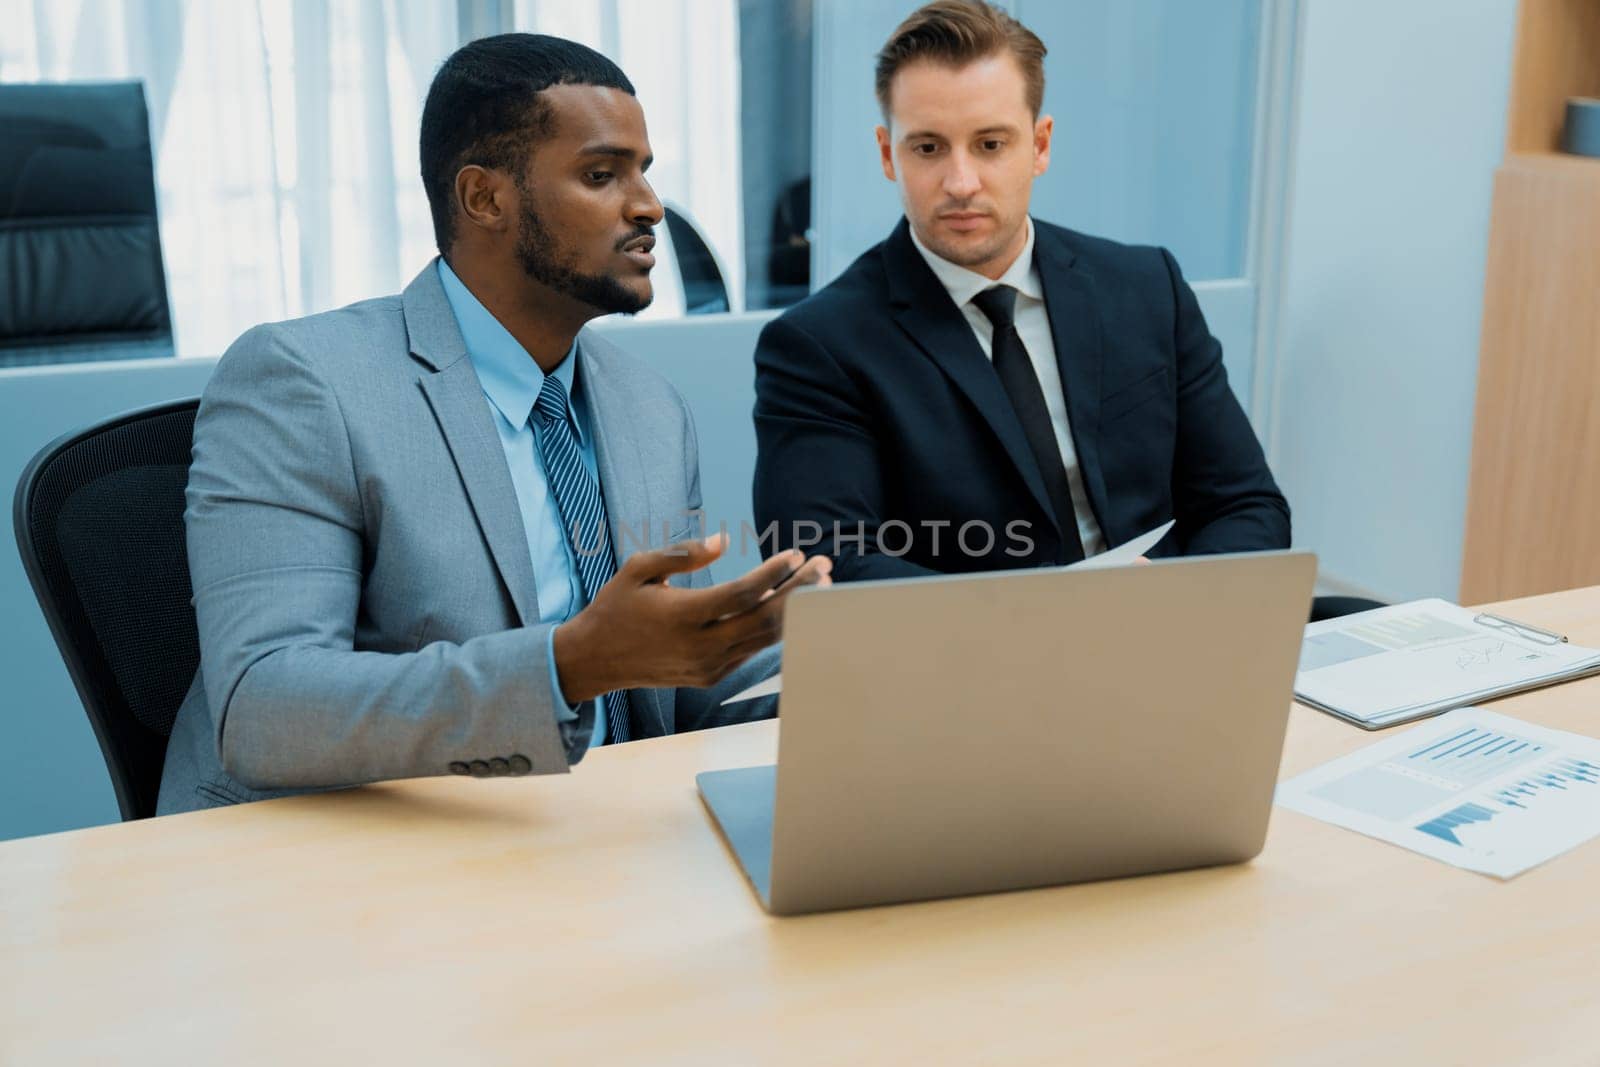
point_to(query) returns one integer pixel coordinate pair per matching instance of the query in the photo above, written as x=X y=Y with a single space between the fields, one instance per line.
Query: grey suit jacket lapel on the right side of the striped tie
x=620 y=462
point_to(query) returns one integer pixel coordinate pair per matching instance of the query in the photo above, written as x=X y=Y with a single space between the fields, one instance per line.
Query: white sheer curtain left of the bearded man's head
x=286 y=140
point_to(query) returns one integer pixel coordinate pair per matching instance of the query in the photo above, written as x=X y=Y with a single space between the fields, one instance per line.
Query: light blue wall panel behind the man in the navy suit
x=1154 y=105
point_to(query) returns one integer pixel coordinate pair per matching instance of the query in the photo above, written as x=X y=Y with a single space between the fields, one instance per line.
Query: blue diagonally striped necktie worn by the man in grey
x=583 y=519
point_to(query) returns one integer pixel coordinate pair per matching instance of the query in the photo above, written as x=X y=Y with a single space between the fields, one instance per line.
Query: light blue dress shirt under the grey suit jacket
x=511 y=385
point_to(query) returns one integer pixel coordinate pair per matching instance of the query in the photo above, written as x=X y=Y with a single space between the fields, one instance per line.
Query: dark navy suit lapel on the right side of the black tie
x=1076 y=332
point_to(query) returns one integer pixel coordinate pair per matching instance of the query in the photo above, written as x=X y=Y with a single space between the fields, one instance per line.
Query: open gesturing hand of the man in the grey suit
x=642 y=633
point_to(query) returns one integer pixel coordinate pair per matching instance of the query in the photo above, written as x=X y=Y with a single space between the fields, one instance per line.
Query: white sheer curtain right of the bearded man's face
x=684 y=62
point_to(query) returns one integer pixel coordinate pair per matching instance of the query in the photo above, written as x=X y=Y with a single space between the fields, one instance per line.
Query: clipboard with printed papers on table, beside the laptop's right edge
x=1415 y=660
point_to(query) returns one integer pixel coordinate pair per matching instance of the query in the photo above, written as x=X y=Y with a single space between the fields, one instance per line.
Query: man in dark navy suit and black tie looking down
x=986 y=391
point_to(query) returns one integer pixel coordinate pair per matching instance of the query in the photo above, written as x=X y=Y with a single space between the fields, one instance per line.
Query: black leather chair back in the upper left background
x=79 y=244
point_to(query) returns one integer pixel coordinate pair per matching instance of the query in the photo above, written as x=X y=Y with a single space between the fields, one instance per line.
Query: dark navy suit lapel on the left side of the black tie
x=926 y=311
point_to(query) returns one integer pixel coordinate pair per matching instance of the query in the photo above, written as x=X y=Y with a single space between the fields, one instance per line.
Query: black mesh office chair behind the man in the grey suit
x=100 y=524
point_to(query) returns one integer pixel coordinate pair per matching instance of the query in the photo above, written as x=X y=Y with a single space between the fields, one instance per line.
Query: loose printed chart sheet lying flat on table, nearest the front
x=1474 y=789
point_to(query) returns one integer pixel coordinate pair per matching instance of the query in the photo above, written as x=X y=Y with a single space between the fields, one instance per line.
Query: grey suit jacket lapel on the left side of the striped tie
x=457 y=398
